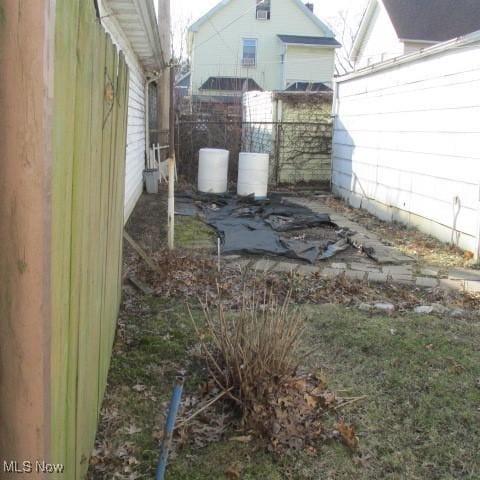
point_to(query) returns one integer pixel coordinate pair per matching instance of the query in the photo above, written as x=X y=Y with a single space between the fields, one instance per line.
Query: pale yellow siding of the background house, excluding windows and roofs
x=217 y=46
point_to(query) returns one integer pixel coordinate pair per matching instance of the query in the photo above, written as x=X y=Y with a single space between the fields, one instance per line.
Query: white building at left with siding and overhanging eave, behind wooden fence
x=133 y=27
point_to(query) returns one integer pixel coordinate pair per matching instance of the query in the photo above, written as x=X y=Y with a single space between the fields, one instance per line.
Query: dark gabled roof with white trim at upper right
x=428 y=21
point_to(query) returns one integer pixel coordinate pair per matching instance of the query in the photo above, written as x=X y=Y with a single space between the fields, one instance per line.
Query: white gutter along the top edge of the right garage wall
x=412 y=57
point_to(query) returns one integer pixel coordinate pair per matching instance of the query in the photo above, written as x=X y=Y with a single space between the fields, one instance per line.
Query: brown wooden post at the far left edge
x=26 y=92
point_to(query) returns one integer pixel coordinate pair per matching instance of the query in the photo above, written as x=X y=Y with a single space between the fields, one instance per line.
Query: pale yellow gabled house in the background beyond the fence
x=260 y=45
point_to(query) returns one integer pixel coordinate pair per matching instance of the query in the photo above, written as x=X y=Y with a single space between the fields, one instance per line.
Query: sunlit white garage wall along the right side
x=407 y=141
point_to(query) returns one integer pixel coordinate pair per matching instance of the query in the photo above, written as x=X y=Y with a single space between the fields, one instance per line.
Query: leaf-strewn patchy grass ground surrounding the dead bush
x=416 y=376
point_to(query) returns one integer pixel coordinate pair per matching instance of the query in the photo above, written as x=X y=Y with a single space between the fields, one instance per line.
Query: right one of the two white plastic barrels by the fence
x=253 y=174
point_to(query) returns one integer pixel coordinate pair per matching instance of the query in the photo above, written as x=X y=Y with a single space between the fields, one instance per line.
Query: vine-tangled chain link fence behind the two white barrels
x=300 y=151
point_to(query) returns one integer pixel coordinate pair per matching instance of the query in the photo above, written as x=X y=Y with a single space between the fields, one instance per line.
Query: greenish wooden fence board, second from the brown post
x=82 y=275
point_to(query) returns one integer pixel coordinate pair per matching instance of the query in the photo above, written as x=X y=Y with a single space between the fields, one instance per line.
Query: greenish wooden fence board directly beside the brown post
x=62 y=381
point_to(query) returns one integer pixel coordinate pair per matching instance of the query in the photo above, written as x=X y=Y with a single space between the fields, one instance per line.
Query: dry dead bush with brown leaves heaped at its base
x=253 y=357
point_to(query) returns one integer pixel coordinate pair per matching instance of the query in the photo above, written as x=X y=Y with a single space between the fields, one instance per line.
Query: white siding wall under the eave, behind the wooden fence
x=135 y=154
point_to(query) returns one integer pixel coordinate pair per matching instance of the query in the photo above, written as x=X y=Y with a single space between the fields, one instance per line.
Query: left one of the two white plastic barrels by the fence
x=213 y=170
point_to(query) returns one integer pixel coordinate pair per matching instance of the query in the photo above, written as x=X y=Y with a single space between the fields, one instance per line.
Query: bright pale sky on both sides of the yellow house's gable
x=185 y=12
